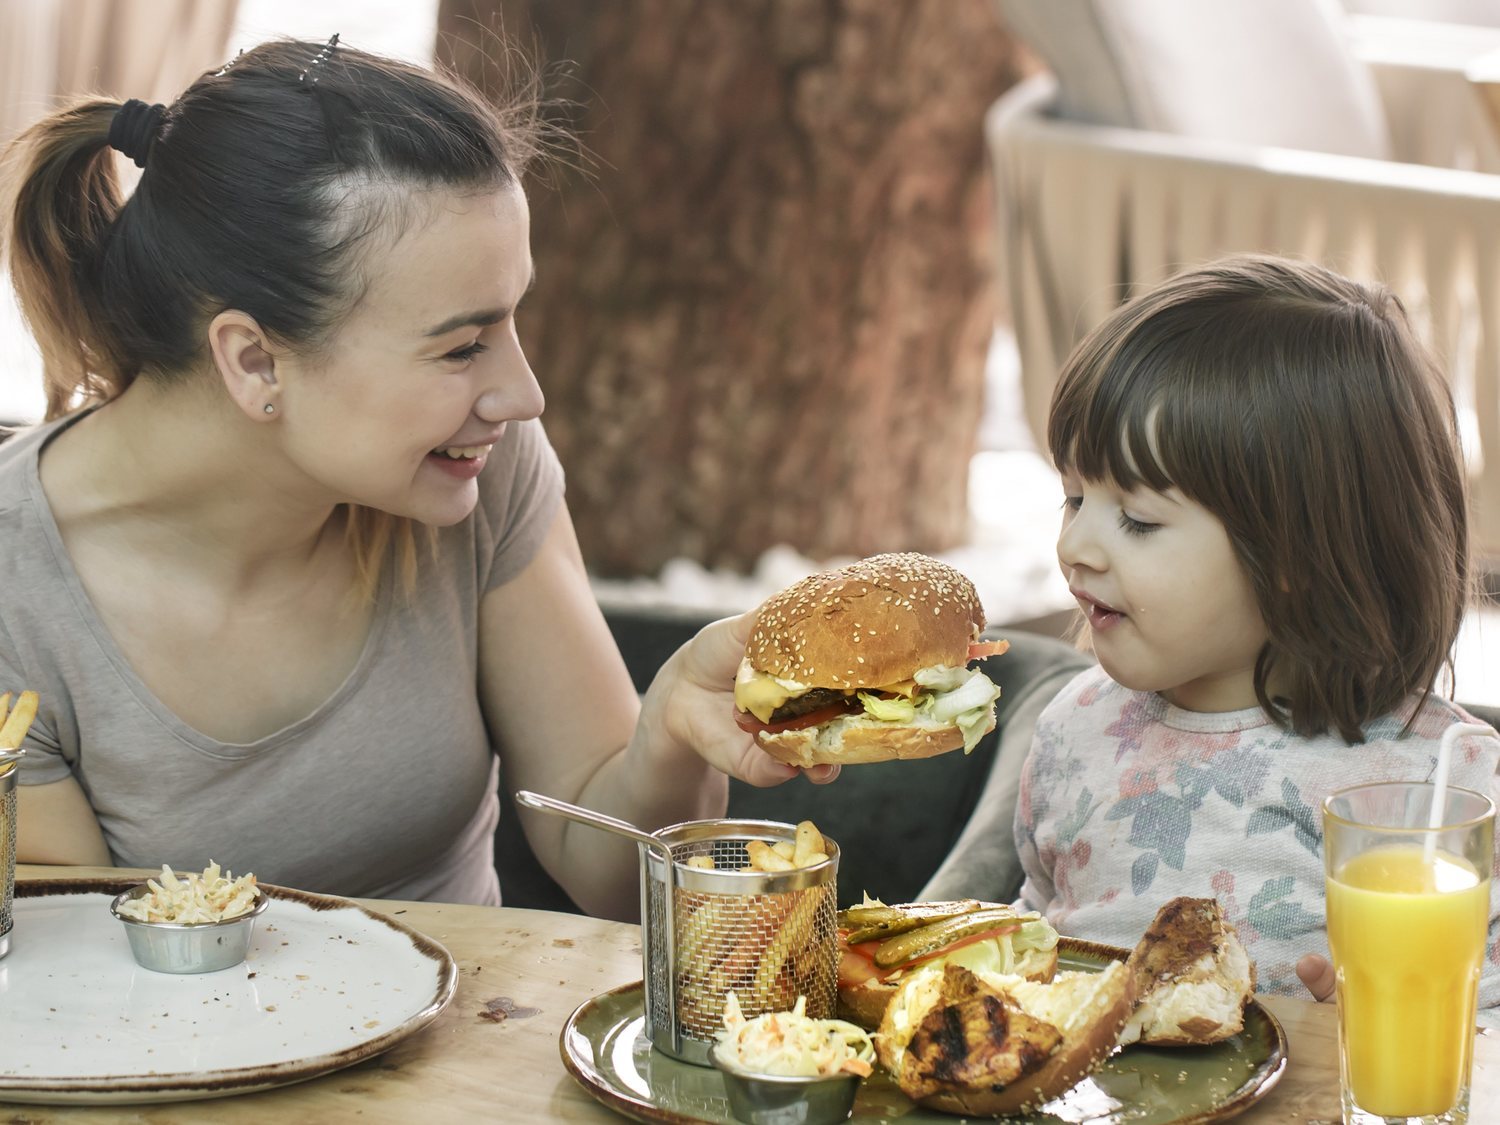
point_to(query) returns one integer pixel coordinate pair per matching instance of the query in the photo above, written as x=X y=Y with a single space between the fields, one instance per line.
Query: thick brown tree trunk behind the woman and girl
x=764 y=319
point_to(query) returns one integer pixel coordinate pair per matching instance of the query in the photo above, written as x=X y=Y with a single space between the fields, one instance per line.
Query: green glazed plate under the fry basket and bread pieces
x=605 y=1048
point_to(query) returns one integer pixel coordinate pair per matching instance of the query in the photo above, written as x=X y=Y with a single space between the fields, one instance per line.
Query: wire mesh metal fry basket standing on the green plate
x=767 y=937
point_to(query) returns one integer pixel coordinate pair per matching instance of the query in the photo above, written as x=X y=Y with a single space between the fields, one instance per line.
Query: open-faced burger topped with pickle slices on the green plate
x=881 y=947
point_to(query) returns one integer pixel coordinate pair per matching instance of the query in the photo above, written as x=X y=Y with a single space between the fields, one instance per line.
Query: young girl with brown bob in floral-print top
x=1265 y=532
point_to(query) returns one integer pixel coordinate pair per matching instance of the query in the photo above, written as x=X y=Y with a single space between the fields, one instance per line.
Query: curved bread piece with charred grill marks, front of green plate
x=985 y=1045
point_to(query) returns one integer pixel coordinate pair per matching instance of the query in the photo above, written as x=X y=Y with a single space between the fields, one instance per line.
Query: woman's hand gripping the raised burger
x=692 y=704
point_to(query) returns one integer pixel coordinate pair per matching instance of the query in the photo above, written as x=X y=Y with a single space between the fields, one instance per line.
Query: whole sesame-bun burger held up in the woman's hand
x=868 y=664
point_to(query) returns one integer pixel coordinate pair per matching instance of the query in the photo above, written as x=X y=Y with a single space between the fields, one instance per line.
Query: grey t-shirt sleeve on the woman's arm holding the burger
x=521 y=493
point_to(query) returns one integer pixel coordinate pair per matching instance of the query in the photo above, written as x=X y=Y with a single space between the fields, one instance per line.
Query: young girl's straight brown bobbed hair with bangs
x=1300 y=409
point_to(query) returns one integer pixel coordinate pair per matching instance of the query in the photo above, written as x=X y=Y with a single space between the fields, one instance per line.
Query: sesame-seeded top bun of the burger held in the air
x=868 y=625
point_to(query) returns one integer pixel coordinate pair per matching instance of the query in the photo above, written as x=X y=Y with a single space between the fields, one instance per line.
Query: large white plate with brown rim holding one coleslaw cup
x=326 y=985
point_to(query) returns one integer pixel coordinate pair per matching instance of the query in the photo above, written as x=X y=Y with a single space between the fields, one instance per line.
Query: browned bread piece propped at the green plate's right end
x=1193 y=979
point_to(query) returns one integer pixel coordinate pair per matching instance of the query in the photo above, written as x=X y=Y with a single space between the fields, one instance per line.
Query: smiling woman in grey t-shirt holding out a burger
x=290 y=562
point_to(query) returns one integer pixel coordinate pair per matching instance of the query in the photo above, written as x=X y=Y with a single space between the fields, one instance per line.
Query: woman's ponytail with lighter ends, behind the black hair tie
x=62 y=197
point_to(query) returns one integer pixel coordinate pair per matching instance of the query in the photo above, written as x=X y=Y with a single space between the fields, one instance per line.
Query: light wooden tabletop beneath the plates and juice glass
x=469 y=1067
